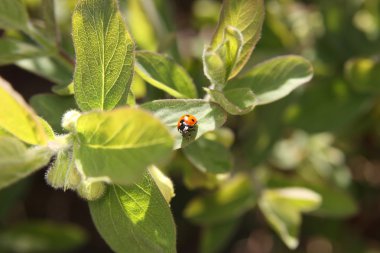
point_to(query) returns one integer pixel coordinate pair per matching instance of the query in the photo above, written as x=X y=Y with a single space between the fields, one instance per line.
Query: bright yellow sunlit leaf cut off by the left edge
x=17 y=118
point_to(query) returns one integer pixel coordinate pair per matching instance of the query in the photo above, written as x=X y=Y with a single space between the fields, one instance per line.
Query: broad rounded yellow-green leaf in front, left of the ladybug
x=119 y=145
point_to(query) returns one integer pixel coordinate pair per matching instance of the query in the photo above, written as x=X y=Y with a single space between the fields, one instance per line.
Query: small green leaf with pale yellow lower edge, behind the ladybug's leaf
x=165 y=74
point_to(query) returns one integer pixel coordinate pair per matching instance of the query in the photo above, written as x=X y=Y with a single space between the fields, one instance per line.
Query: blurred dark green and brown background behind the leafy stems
x=324 y=136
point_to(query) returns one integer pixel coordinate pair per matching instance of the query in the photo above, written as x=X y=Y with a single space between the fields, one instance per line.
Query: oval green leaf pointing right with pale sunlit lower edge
x=275 y=78
